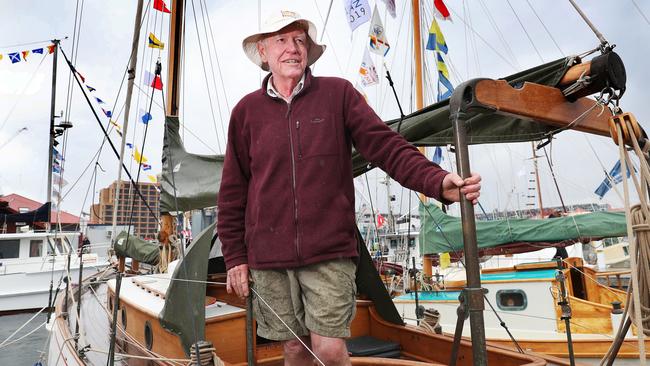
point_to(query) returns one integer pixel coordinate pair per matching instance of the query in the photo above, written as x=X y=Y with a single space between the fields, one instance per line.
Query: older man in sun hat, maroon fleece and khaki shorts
x=286 y=202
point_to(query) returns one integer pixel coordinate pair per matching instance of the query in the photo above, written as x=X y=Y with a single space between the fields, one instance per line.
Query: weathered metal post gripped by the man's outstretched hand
x=473 y=290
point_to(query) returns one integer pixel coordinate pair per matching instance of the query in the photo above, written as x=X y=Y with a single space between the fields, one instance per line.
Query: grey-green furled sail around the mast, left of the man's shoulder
x=189 y=181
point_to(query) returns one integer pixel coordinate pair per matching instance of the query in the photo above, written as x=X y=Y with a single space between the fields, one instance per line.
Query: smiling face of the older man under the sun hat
x=285 y=52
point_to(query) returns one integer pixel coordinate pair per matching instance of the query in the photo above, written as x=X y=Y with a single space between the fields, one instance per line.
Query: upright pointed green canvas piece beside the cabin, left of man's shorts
x=184 y=310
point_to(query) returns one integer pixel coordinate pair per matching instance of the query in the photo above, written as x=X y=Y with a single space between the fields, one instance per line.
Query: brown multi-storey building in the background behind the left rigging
x=144 y=223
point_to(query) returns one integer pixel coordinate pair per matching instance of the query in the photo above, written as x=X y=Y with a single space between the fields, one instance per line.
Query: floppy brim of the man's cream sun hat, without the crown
x=249 y=44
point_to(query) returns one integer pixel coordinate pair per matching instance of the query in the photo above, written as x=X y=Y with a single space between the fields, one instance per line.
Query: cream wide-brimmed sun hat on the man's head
x=274 y=23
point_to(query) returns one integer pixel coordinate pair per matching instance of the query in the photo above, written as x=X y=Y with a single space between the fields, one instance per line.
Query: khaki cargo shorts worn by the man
x=319 y=298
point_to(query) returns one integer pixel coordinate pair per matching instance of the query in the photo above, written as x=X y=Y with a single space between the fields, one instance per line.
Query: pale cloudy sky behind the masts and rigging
x=485 y=38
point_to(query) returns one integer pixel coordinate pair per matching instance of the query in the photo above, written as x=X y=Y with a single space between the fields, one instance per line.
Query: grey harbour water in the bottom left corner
x=28 y=350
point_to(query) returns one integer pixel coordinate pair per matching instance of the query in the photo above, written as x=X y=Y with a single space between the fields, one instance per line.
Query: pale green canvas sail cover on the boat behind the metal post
x=441 y=233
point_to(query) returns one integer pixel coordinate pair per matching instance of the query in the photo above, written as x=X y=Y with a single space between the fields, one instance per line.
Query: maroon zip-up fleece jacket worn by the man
x=287 y=194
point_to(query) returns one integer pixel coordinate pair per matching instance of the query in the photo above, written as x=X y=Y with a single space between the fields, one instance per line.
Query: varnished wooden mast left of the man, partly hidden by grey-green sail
x=167 y=225
